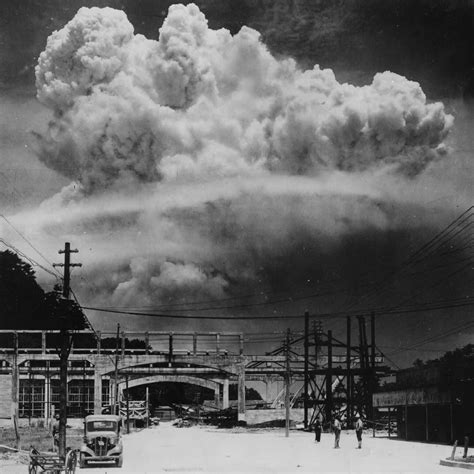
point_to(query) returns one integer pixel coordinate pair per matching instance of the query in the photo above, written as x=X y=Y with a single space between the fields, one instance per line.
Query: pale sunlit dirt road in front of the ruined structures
x=206 y=449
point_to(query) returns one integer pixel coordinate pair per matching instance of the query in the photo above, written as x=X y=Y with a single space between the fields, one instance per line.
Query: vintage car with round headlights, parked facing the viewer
x=102 y=441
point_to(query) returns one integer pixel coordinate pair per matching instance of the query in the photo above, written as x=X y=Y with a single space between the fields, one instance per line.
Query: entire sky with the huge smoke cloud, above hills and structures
x=201 y=164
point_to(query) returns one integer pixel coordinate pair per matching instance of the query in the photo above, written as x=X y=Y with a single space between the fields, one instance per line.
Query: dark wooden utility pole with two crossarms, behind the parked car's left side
x=65 y=346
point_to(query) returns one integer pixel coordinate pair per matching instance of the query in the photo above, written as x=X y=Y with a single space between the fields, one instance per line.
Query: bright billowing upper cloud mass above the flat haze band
x=201 y=103
